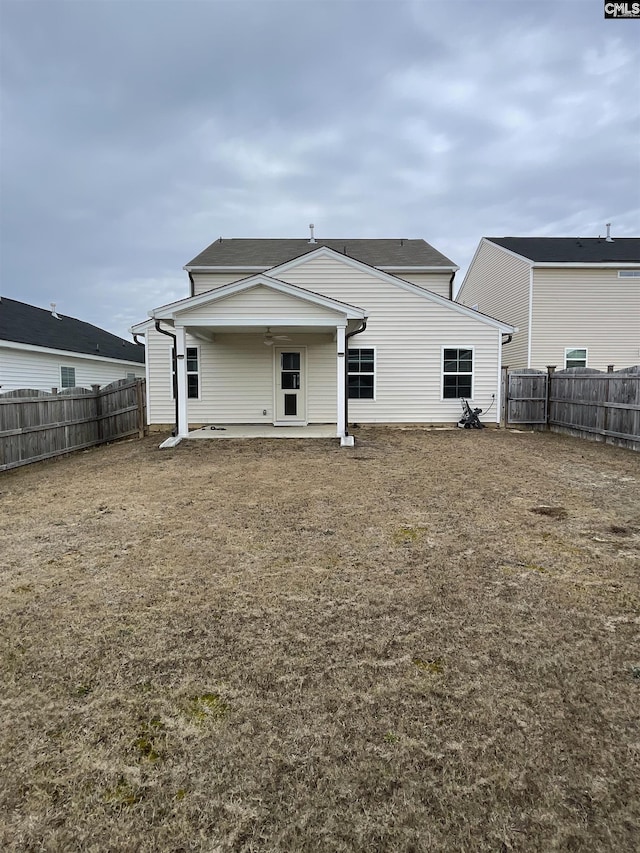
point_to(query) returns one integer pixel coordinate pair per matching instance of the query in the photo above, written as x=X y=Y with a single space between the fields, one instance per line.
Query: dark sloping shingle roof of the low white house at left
x=26 y=324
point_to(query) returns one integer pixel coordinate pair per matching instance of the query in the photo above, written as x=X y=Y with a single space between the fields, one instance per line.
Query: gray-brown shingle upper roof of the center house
x=233 y=252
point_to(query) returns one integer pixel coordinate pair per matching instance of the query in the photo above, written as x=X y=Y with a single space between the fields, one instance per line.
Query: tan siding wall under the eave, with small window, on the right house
x=589 y=309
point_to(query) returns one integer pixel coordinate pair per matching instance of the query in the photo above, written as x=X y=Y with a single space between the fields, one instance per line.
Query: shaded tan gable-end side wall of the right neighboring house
x=498 y=284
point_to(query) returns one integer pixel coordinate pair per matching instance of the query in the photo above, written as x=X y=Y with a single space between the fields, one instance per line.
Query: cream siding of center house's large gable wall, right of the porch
x=406 y=330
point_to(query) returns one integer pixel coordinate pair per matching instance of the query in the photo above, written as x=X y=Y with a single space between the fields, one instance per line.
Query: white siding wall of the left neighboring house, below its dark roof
x=41 y=371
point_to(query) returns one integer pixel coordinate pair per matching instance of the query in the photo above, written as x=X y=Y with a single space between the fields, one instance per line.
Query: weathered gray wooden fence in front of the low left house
x=35 y=425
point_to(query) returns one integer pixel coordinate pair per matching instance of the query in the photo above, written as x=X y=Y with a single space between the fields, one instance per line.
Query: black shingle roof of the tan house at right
x=573 y=250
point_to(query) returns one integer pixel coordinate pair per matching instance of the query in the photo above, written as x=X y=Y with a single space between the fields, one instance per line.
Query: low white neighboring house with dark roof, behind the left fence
x=43 y=350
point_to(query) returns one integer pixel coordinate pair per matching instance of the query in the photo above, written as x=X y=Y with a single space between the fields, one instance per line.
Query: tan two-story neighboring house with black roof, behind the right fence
x=576 y=301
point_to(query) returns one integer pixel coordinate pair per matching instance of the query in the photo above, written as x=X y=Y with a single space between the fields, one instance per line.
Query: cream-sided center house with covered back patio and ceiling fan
x=300 y=332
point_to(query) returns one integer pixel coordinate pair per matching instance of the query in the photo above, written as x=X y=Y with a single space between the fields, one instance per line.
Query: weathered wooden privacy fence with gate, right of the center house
x=583 y=402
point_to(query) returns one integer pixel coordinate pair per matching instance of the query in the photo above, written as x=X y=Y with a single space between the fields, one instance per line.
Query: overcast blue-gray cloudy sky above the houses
x=133 y=133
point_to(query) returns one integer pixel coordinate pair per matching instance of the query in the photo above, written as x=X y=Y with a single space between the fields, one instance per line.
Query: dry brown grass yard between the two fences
x=428 y=642
